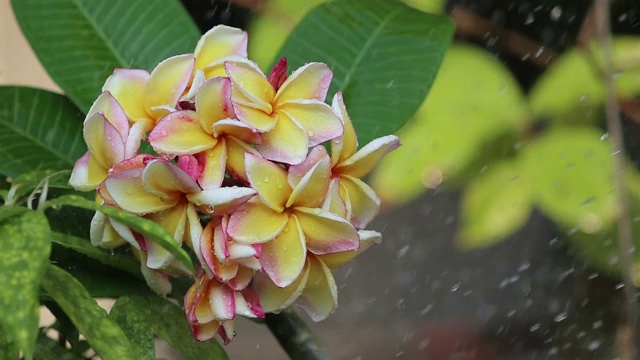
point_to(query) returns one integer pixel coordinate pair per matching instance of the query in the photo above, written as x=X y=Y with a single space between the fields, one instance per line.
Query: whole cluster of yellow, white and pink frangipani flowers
x=238 y=175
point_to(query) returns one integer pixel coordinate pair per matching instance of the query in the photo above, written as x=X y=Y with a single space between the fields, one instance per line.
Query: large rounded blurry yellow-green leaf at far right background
x=571 y=173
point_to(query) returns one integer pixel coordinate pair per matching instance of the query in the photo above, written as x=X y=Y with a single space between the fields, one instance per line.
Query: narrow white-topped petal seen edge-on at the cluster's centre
x=221 y=201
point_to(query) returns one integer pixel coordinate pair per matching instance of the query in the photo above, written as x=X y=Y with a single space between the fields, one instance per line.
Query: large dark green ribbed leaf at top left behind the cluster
x=81 y=42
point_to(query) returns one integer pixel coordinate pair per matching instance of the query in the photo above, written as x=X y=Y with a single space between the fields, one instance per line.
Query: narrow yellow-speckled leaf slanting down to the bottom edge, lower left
x=104 y=335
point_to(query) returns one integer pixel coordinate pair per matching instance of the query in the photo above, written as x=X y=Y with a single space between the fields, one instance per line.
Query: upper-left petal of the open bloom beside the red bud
x=252 y=83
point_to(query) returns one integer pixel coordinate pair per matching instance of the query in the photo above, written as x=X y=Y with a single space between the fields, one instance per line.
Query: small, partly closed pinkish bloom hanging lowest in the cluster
x=211 y=306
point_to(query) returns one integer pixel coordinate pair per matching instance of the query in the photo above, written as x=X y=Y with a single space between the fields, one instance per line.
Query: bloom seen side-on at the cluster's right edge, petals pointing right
x=349 y=196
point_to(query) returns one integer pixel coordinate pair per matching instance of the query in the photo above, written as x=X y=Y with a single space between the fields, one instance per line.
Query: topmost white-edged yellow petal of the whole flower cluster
x=221 y=41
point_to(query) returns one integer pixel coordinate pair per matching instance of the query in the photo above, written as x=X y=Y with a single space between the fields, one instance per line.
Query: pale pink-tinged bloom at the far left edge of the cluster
x=110 y=140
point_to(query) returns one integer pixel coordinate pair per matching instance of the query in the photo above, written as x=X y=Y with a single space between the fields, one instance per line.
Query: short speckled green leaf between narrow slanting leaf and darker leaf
x=135 y=326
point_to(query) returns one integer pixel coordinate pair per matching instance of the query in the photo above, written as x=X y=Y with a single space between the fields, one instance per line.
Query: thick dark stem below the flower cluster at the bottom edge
x=295 y=337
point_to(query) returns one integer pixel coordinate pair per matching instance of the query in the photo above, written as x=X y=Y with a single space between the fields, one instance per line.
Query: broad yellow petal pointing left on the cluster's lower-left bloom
x=127 y=191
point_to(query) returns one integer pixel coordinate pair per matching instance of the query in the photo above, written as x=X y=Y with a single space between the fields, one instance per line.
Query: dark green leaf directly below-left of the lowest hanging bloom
x=169 y=323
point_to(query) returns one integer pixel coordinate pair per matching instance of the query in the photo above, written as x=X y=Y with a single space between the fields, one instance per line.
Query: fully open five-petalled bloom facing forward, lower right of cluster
x=286 y=217
